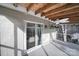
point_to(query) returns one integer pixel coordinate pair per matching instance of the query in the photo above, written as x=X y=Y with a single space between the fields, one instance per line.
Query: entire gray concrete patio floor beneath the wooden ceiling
x=55 y=48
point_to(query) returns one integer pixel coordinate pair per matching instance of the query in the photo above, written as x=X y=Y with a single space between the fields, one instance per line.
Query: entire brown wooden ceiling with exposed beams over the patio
x=55 y=11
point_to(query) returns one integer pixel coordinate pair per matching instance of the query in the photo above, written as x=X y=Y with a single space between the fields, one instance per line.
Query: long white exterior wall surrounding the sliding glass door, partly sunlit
x=12 y=28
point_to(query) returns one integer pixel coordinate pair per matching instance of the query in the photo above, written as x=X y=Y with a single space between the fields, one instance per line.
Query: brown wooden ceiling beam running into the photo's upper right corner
x=65 y=8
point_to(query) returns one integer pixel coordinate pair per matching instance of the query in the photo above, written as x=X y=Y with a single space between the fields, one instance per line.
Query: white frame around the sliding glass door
x=25 y=34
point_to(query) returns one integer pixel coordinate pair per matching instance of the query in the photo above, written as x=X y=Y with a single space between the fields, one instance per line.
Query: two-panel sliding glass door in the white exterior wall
x=33 y=34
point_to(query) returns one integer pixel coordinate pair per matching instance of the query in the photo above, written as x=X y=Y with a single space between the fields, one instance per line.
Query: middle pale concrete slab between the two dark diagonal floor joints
x=53 y=51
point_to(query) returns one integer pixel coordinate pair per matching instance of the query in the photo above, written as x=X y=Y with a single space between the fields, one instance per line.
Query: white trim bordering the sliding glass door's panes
x=25 y=41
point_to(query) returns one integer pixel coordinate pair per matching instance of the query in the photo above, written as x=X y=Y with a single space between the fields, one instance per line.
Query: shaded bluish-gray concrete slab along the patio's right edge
x=67 y=50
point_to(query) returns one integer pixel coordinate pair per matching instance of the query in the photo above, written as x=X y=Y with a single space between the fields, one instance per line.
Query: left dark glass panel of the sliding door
x=30 y=35
